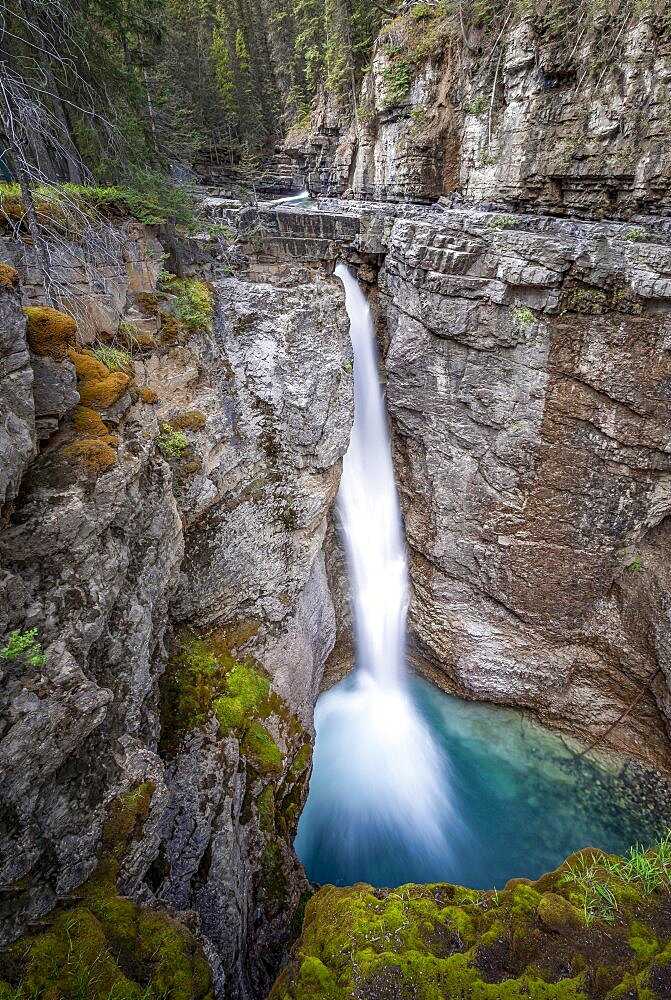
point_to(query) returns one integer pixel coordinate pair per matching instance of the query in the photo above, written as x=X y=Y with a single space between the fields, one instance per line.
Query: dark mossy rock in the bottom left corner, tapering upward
x=102 y=946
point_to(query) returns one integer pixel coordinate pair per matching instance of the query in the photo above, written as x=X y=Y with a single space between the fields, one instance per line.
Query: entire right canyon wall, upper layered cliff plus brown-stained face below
x=527 y=359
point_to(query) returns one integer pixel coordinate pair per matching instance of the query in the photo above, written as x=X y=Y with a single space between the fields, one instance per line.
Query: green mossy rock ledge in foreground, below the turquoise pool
x=553 y=939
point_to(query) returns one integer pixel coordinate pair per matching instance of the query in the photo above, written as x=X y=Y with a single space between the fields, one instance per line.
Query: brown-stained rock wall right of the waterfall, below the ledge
x=528 y=380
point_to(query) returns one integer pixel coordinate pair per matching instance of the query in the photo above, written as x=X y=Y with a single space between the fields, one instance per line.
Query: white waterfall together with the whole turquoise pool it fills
x=382 y=792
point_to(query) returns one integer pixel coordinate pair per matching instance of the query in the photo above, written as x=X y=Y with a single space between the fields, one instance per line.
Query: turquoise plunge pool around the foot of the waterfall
x=520 y=801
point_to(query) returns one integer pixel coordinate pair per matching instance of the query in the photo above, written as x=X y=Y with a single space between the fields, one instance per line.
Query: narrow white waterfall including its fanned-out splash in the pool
x=379 y=798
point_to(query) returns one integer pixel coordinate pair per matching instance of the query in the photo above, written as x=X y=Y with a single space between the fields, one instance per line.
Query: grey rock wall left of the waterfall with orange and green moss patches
x=205 y=510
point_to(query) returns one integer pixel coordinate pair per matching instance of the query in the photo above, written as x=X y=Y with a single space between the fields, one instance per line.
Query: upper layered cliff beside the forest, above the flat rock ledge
x=528 y=120
